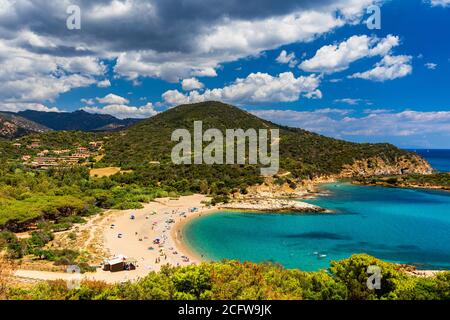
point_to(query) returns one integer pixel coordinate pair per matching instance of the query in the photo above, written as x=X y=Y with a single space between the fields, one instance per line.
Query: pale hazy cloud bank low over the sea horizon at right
x=402 y=127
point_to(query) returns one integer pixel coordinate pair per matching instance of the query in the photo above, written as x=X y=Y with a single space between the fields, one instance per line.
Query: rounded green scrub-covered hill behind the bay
x=302 y=153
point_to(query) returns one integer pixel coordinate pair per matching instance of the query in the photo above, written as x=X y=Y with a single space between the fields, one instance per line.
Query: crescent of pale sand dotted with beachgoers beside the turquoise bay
x=161 y=220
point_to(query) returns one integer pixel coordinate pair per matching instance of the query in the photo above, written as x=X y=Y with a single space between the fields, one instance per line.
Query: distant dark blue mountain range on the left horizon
x=14 y=125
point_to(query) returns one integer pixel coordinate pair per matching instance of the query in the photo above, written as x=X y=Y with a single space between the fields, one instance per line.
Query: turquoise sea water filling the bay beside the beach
x=398 y=225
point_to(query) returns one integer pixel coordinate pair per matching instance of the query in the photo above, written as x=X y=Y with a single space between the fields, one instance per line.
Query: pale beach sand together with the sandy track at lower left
x=137 y=236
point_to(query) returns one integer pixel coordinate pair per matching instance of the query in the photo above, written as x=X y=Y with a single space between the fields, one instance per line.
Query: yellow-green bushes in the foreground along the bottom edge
x=231 y=280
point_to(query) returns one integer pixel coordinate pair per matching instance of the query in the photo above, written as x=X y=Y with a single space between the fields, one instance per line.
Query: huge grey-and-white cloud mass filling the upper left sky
x=40 y=59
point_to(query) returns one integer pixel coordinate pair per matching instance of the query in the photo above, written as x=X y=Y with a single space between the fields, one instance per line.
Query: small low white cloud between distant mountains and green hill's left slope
x=123 y=111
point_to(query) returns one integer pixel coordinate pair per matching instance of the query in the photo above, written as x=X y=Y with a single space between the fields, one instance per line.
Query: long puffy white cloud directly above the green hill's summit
x=256 y=88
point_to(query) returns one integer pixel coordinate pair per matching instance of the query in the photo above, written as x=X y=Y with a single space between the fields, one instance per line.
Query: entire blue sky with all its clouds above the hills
x=307 y=64
